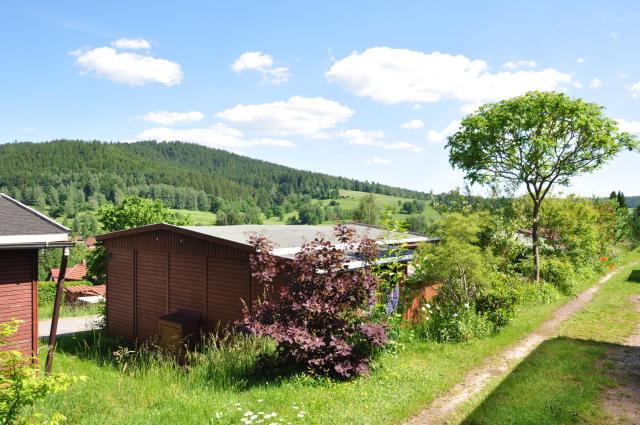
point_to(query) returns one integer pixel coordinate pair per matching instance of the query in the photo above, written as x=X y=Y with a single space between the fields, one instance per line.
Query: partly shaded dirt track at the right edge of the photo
x=621 y=402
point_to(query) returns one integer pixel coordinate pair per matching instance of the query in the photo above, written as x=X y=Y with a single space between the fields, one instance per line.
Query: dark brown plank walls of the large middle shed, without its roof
x=156 y=273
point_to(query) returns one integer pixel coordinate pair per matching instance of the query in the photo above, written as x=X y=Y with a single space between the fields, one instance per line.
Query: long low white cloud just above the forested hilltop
x=217 y=136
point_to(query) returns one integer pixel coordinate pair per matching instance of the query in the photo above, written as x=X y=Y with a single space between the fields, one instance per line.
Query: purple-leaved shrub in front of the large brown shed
x=319 y=320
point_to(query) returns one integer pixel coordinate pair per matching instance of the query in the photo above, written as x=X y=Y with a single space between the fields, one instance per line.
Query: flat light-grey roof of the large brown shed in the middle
x=292 y=236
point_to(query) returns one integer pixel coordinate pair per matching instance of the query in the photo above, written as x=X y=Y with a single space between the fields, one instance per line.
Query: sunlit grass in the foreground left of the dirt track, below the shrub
x=399 y=386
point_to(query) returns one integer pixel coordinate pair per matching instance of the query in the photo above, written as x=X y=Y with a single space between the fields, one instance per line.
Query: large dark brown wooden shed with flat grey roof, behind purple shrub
x=159 y=269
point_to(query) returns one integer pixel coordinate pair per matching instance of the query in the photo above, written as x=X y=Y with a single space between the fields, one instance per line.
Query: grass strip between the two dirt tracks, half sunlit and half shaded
x=563 y=380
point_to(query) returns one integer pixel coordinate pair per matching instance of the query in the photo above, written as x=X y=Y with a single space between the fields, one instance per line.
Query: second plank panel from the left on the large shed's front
x=151 y=292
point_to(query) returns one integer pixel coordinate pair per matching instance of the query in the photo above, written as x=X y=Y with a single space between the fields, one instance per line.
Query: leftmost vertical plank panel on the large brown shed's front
x=120 y=293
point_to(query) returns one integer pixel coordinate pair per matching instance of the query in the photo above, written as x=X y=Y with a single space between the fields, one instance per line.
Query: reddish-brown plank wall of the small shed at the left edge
x=19 y=297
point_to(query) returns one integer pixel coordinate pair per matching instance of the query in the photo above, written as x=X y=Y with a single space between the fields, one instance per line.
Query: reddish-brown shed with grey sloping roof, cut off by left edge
x=23 y=231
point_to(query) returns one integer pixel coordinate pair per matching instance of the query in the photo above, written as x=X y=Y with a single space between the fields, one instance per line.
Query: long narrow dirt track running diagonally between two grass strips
x=477 y=379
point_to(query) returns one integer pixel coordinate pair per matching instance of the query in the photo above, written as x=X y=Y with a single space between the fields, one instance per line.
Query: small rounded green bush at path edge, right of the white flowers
x=498 y=303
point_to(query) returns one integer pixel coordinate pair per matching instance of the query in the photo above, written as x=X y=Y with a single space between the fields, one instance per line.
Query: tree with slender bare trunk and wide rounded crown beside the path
x=537 y=140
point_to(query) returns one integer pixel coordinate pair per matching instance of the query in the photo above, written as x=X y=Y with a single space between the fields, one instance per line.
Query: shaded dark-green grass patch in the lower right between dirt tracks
x=560 y=382
